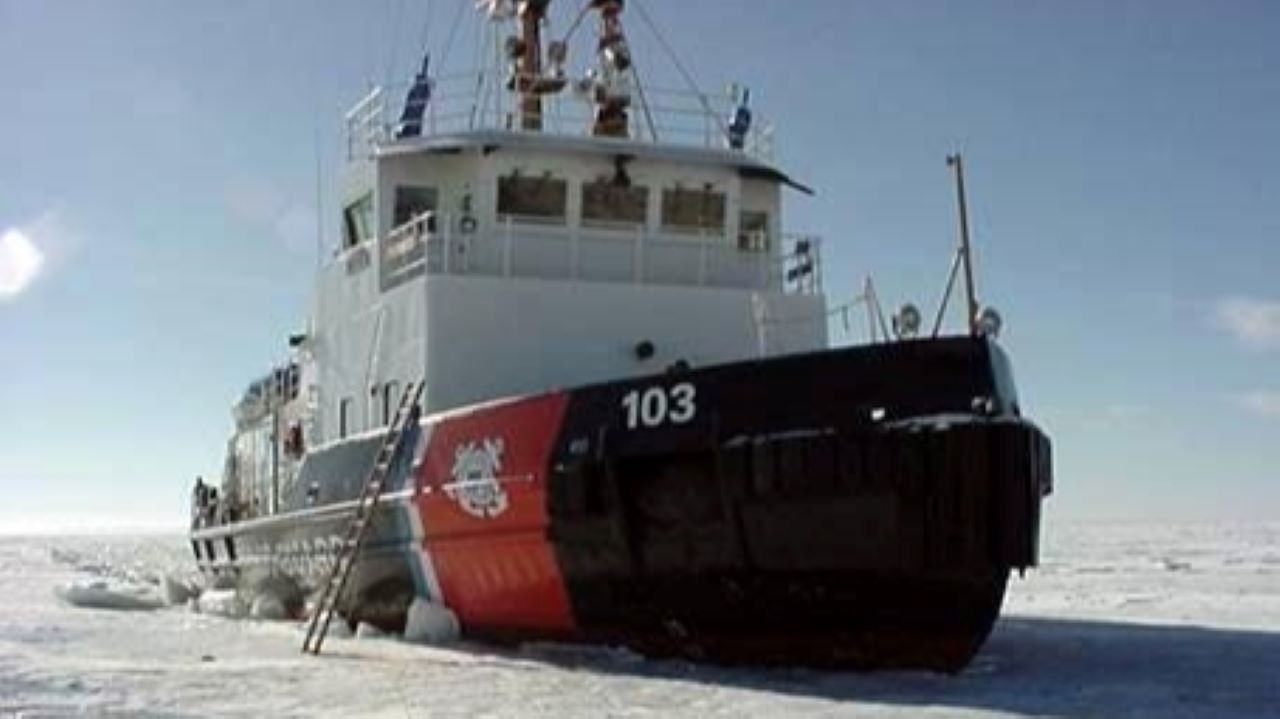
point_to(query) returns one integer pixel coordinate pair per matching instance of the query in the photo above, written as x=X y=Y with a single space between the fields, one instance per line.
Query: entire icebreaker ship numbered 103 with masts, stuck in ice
x=568 y=379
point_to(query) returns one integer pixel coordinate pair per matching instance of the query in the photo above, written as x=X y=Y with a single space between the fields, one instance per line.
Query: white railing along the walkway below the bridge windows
x=436 y=245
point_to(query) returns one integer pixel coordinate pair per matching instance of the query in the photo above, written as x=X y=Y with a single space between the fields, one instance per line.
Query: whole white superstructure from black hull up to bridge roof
x=555 y=259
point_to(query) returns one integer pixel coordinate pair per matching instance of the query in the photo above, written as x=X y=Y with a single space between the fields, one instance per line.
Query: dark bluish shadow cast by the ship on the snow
x=1032 y=667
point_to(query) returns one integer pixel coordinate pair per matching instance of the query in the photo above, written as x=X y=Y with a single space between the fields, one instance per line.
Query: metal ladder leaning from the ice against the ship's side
x=406 y=415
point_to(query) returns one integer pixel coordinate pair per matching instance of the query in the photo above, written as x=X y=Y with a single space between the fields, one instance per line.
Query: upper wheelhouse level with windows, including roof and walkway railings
x=473 y=193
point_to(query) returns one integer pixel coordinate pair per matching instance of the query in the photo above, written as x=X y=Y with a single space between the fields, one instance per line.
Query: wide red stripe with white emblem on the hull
x=483 y=502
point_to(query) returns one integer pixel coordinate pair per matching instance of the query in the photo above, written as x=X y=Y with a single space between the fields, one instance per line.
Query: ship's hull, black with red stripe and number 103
x=847 y=509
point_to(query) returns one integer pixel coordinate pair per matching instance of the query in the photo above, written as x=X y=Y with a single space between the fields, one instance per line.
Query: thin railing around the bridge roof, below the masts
x=473 y=102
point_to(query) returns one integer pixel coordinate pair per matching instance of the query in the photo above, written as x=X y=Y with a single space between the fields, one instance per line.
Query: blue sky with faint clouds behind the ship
x=159 y=222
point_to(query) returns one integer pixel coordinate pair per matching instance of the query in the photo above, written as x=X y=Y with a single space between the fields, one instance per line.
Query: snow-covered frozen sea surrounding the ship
x=1121 y=621
